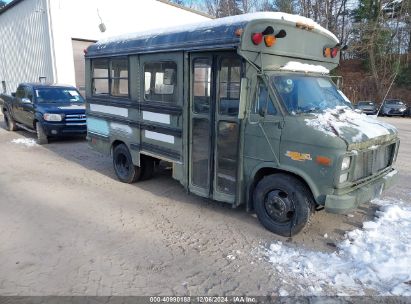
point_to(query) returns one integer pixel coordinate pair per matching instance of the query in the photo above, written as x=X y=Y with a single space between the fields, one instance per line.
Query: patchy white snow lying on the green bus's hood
x=333 y=122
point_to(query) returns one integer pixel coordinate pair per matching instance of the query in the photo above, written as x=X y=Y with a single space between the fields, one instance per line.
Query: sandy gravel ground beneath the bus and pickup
x=68 y=227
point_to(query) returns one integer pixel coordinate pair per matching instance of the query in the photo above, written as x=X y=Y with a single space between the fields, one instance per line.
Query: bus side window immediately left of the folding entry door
x=160 y=80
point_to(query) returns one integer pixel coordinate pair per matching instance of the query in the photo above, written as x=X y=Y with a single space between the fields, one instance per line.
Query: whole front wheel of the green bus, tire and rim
x=283 y=204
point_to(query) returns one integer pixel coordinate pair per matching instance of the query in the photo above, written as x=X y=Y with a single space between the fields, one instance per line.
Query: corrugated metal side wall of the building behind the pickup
x=25 y=52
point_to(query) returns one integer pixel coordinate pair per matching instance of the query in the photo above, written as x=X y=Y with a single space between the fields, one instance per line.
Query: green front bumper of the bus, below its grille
x=343 y=203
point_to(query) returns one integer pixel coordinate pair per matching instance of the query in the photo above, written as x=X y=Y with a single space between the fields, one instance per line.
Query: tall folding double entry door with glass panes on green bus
x=214 y=125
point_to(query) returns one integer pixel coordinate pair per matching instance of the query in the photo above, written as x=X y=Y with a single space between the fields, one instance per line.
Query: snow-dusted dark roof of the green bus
x=213 y=34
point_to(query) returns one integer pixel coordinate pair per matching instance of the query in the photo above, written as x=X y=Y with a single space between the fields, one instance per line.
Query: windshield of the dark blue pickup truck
x=58 y=95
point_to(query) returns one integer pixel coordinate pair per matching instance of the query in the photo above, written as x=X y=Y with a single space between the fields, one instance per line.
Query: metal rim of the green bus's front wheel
x=279 y=206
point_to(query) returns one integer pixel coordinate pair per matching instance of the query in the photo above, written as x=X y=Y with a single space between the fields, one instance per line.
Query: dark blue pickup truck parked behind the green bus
x=48 y=110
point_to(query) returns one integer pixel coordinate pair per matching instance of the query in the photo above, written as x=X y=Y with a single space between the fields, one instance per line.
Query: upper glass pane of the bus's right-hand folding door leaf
x=230 y=80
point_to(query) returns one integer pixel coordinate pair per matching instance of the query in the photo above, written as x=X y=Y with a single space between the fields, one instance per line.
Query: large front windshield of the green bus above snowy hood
x=306 y=94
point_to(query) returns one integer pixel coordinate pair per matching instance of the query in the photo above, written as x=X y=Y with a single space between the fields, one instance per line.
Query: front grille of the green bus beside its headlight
x=372 y=161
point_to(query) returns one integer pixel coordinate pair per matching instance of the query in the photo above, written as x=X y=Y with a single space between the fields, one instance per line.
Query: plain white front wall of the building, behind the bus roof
x=80 y=19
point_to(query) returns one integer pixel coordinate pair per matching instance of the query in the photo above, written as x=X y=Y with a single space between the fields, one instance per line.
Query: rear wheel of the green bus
x=123 y=165
